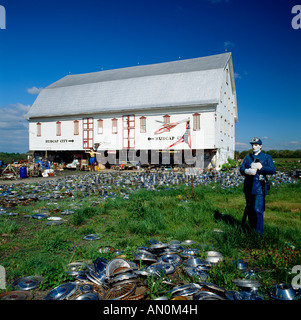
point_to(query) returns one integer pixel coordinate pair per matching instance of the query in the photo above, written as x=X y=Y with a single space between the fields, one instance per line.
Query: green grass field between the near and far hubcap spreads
x=210 y=216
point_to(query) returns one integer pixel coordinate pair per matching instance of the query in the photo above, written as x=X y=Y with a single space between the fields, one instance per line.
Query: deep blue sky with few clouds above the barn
x=46 y=40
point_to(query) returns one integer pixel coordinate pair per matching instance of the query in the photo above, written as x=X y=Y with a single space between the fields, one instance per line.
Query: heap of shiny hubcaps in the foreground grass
x=120 y=279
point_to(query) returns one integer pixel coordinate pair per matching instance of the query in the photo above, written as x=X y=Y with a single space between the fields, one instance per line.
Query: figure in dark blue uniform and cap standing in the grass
x=255 y=167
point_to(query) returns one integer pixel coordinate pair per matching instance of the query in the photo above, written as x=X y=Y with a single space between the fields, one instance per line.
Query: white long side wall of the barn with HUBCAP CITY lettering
x=202 y=139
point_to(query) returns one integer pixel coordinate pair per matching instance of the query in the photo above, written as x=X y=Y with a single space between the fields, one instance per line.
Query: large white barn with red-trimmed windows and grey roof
x=140 y=109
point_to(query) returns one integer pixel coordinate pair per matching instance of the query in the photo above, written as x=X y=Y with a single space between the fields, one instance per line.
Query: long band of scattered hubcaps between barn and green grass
x=111 y=184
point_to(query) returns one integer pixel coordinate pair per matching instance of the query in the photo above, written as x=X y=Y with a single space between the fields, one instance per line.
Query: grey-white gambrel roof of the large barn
x=170 y=84
